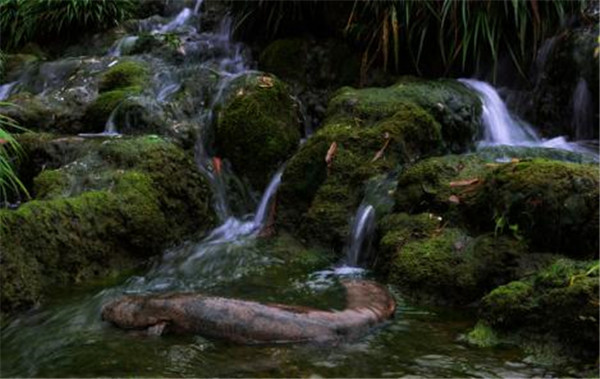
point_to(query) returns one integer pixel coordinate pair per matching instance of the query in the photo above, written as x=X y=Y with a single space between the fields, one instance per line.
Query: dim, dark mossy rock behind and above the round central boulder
x=286 y=58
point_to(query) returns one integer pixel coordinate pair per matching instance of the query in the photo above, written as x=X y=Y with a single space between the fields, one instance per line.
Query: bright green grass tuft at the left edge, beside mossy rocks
x=10 y=153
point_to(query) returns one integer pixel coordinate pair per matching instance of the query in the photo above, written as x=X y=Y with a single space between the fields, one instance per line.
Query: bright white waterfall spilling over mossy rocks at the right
x=501 y=128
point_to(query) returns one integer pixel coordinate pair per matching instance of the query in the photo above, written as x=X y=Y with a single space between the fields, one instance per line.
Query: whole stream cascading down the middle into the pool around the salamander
x=66 y=337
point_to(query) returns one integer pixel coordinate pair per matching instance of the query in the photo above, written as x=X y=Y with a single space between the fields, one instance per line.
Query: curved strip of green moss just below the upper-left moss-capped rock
x=98 y=112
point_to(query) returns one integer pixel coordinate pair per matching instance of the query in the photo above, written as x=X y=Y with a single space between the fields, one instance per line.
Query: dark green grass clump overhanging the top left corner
x=24 y=20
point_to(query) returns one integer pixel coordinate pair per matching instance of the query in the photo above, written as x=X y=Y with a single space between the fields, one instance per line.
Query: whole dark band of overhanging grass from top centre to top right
x=417 y=34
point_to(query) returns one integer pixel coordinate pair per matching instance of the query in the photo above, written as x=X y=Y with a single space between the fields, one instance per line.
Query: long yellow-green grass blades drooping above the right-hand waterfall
x=462 y=30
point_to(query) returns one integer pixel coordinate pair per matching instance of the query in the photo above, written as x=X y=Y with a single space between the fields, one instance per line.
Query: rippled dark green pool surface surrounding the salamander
x=67 y=337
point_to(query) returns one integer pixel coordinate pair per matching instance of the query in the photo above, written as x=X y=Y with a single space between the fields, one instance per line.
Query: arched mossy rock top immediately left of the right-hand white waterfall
x=454 y=106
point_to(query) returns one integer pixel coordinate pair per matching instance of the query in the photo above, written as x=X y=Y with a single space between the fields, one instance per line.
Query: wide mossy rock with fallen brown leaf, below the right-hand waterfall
x=553 y=204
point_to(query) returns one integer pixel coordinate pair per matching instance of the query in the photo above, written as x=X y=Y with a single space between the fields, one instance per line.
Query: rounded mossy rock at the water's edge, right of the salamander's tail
x=451 y=267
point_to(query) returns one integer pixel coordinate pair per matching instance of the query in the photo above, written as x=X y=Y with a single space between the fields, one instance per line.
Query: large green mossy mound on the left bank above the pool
x=100 y=213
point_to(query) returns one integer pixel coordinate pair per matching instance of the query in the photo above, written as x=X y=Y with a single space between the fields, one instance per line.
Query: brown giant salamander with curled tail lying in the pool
x=368 y=304
